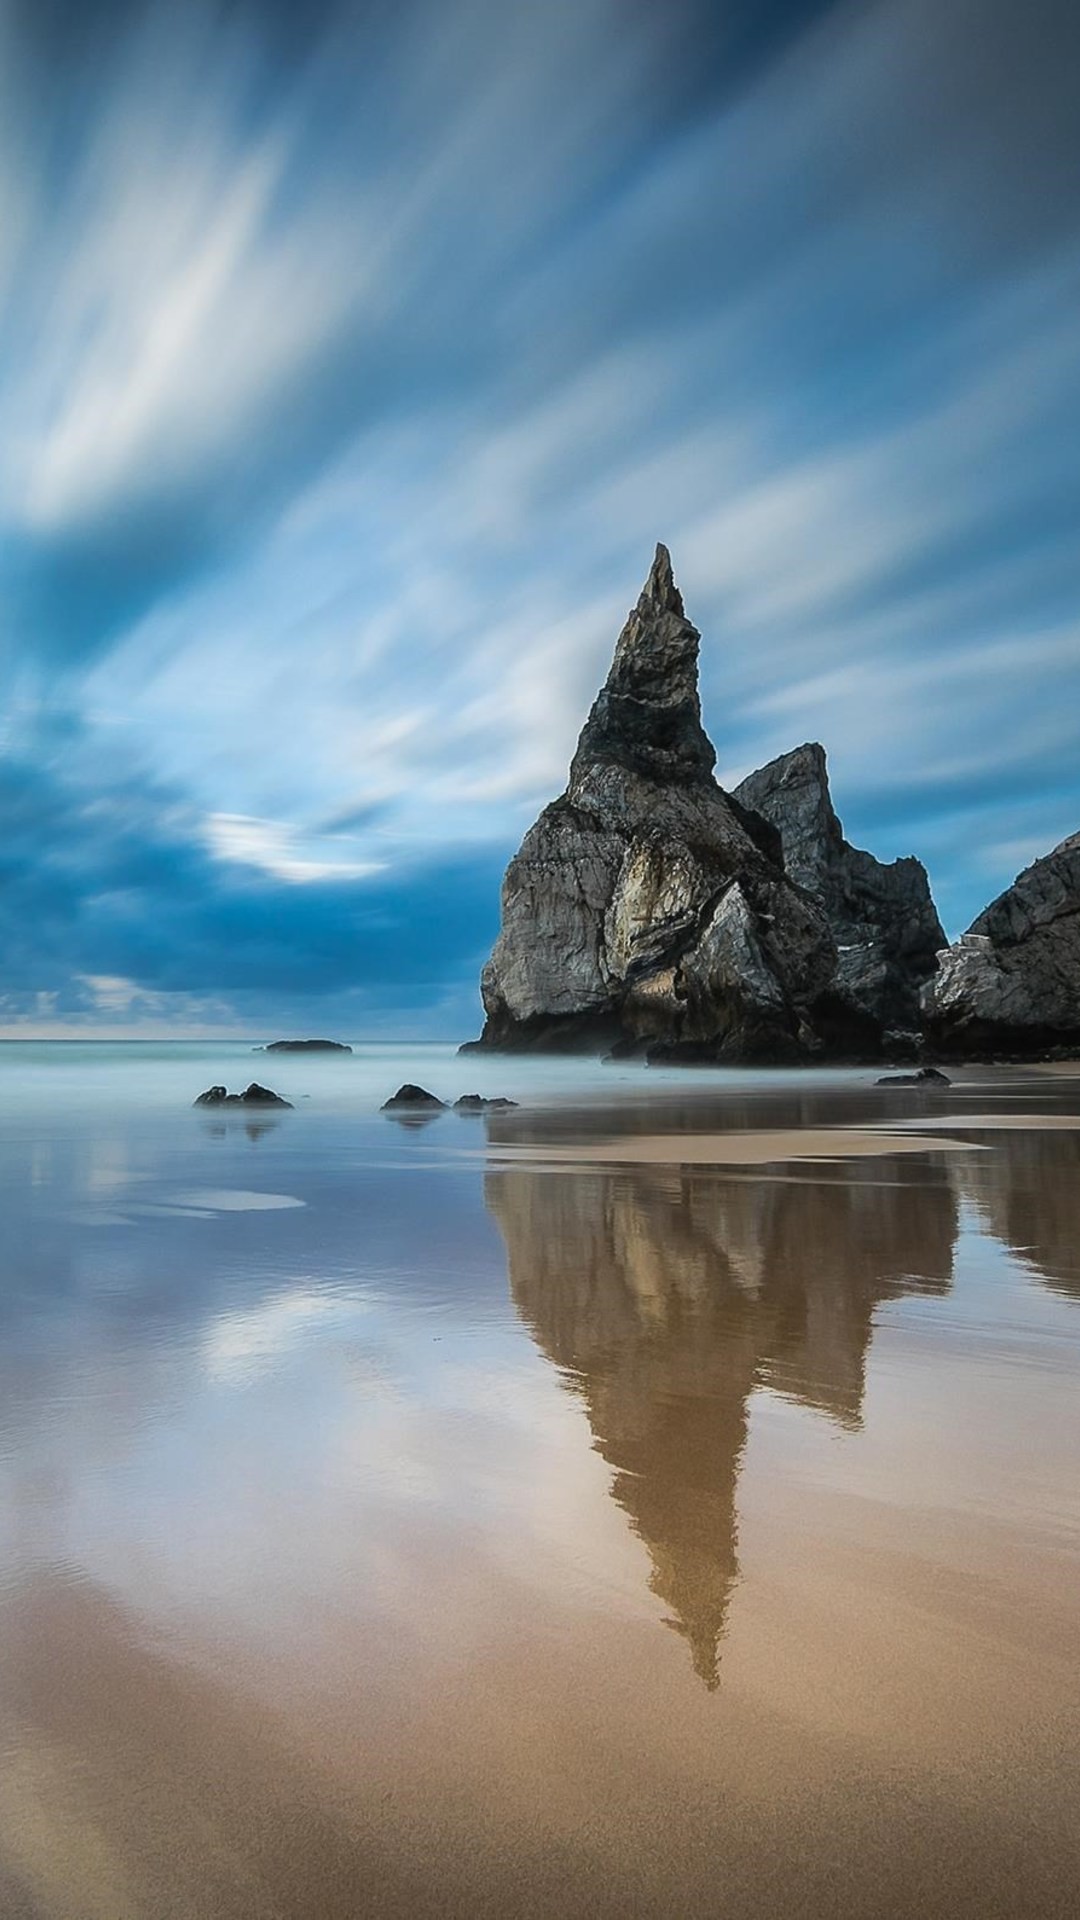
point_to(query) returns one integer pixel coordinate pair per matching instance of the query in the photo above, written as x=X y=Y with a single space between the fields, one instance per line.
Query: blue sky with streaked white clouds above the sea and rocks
x=356 y=356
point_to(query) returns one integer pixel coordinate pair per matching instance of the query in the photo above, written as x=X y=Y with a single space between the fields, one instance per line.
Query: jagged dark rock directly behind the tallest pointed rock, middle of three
x=883 y=919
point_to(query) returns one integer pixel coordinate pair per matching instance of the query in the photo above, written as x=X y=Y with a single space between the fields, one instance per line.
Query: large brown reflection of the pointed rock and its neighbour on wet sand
x=666 y=1299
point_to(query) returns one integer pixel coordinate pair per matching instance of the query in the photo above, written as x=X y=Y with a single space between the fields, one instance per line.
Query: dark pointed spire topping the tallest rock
x=649 y=715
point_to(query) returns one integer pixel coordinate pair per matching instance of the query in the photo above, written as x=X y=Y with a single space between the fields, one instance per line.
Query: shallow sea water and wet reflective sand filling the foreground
x=414 y=1522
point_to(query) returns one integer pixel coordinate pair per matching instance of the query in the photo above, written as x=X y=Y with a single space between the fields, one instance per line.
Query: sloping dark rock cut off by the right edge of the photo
x=1012 y=984
